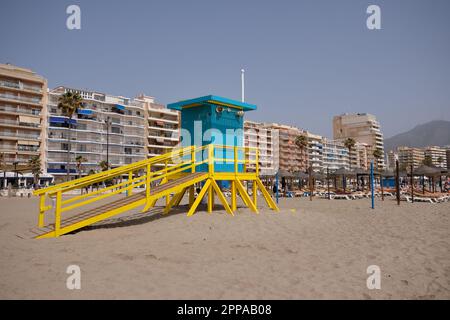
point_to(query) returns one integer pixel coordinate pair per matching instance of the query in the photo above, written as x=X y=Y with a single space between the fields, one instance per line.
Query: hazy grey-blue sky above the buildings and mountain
x=304 y=61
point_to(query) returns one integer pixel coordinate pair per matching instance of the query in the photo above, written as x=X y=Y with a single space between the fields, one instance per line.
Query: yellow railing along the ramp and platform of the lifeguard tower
x=140 y=174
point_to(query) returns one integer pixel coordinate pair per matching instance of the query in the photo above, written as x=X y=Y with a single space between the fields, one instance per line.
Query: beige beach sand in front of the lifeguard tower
x=310 y=250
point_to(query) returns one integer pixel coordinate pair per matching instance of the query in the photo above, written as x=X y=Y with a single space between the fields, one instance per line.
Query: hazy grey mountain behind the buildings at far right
x=433 y=133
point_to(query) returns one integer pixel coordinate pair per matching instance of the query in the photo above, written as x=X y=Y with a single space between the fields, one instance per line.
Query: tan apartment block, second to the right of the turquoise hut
x=291 y=157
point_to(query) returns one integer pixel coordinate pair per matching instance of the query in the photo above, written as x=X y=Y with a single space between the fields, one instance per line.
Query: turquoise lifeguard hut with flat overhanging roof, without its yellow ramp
x=213 y=120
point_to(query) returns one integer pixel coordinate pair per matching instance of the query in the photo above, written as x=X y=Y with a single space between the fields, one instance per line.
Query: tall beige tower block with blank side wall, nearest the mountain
x=363 y=128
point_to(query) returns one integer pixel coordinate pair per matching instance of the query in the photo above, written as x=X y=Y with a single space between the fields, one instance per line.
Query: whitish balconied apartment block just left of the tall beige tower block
x=335 y=155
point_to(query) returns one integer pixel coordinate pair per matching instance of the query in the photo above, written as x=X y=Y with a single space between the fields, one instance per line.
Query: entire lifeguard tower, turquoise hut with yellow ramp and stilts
x=212 y=155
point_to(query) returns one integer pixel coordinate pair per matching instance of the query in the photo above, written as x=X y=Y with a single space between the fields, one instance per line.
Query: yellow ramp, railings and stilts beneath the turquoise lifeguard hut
x=177 y=176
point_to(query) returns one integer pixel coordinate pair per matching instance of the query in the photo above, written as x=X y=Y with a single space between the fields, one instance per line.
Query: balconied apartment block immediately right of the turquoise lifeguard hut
x=266 y=139
